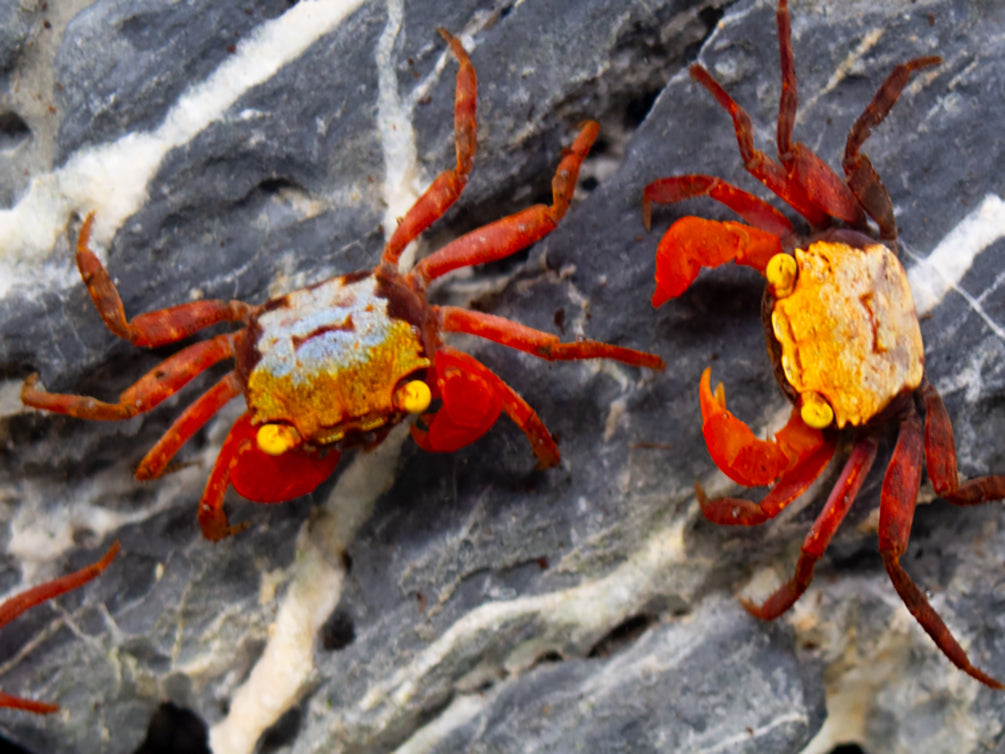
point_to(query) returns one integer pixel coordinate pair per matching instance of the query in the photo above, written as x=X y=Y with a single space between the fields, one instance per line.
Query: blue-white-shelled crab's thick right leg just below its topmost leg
x=510 y=235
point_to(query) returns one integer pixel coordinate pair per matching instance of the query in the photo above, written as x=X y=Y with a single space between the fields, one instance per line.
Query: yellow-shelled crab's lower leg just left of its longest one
x=839 y=503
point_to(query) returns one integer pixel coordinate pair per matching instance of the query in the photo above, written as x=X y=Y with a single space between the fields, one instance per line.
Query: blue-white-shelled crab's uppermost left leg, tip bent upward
x=152 y=329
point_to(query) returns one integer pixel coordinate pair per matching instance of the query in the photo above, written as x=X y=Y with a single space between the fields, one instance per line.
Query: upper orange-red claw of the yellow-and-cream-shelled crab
x=693 y=243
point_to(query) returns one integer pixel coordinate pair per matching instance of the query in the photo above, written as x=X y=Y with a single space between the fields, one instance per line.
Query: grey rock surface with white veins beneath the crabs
x=469 y=602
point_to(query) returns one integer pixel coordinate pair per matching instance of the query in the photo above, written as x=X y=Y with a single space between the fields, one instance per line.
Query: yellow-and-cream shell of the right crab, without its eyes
x=849 y=331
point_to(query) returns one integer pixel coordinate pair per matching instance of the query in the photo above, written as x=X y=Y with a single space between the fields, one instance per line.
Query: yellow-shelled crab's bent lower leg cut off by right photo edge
x=940 y=455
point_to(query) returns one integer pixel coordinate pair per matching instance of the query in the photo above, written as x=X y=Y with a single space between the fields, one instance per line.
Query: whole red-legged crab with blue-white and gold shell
x=338 y=364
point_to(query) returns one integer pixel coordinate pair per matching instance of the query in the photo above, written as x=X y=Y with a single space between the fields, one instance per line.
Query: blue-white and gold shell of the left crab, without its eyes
x=328 y=359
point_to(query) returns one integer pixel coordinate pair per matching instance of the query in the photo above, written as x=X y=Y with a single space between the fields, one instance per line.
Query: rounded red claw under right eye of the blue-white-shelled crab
x=471 y=406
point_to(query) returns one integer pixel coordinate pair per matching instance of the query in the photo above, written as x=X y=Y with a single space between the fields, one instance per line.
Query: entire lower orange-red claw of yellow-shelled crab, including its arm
x=739 y=454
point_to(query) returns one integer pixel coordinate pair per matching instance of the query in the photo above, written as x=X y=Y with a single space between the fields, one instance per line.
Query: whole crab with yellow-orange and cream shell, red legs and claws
x=843 y=335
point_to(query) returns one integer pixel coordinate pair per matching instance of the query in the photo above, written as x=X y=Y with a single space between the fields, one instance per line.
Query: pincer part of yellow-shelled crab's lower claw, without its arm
x=733 y=447
